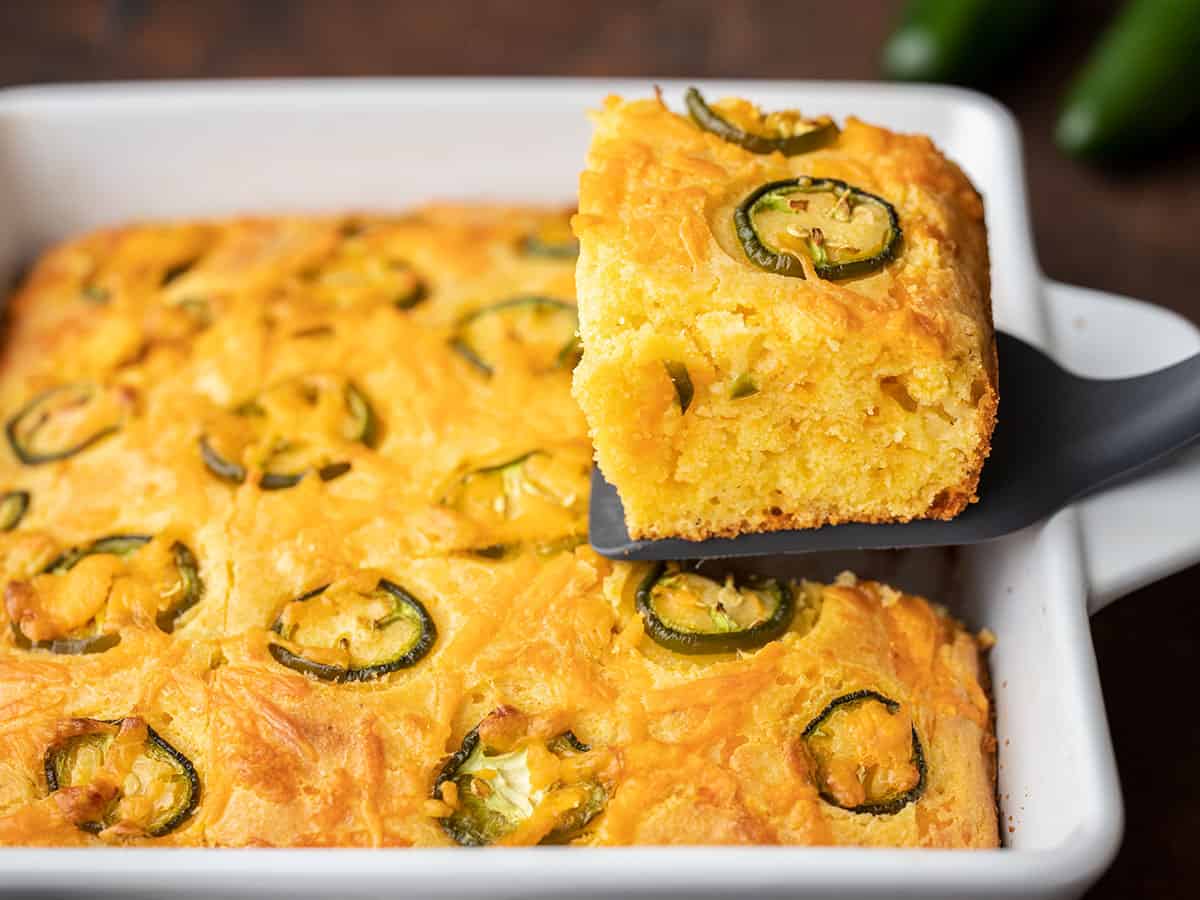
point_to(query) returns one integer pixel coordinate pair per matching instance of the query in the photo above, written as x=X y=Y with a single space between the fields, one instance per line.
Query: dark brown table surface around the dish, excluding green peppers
x=1133 y=231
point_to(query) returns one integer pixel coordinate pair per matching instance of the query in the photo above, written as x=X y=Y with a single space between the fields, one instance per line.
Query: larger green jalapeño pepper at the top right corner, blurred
x=1142 y=83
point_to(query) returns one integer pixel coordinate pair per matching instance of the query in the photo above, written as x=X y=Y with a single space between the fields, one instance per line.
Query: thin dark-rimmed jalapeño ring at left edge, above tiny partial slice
x=64 y=422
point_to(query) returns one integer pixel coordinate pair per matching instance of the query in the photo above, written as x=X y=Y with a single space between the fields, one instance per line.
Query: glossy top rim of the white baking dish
x=1067 y=868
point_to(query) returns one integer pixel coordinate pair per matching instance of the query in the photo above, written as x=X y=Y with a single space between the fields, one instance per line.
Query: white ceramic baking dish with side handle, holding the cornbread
x=76 y=158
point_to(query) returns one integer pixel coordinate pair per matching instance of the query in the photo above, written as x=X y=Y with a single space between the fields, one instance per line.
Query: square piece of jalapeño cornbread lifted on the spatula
x=785 y=326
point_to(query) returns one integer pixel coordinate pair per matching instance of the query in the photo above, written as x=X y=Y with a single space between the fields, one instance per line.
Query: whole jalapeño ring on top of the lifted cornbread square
x=844 y=231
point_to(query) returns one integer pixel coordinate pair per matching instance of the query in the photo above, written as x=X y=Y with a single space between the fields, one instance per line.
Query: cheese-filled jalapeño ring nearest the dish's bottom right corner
x=868 y=757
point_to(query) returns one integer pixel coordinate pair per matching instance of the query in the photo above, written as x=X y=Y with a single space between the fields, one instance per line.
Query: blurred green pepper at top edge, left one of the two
x=961 y=41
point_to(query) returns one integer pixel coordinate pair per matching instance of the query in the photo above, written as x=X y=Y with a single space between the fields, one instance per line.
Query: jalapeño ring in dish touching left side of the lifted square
x=538 y=333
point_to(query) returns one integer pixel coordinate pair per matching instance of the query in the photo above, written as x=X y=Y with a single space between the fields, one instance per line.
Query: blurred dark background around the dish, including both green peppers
x=1126 y=220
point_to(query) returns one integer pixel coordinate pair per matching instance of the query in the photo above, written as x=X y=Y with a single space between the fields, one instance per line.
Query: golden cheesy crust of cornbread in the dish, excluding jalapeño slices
x=699 y=751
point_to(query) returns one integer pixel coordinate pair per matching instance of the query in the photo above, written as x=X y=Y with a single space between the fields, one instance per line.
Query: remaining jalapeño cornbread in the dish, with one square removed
x=293 y=555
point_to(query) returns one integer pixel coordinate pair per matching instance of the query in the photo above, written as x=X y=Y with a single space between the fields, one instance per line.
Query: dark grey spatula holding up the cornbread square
x=1059 y=437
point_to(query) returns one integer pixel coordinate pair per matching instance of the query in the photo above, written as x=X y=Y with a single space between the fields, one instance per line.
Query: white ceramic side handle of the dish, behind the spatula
x=1147 y=529
